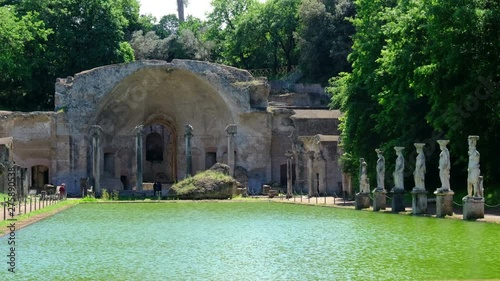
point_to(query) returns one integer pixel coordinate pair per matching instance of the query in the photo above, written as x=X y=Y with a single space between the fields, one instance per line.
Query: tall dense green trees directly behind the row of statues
x=422 y=71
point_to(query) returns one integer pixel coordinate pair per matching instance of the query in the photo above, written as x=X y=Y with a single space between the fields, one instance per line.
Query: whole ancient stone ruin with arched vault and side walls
x=91 y=137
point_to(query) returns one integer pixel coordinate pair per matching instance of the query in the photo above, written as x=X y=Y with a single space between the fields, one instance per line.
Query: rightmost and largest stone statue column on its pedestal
x=474 y=201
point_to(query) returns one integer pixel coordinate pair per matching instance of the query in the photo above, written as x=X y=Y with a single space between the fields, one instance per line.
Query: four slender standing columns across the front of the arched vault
x=96 y=132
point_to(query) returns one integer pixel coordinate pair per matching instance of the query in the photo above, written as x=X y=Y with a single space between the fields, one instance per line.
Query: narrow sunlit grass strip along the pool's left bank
x=29 y=218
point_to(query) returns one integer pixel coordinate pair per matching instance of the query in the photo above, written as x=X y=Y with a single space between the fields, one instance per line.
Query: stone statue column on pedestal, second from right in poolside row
x=444 y=194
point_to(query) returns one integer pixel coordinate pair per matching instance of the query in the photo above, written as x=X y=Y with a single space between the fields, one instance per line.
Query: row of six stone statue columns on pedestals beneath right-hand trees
x=473 y=202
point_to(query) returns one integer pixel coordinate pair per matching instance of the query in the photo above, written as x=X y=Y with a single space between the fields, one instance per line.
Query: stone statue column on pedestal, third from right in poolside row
x=419 y=194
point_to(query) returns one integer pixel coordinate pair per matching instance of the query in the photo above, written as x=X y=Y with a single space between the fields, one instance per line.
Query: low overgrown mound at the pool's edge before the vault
x=210 y=184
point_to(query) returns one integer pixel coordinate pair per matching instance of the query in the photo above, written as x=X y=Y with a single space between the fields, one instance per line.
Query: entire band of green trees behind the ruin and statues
x=403 y=70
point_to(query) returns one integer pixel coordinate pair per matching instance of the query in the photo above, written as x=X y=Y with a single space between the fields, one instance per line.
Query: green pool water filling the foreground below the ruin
x=249 y=241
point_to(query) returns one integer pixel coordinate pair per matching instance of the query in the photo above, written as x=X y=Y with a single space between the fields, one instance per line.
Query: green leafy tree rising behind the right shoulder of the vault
x=252 y=35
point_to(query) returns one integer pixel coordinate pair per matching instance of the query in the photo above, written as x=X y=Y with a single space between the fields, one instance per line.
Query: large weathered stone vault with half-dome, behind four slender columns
x=164 y=97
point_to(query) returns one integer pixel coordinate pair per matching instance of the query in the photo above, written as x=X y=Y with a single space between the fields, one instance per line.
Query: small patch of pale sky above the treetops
x=159 y=8
